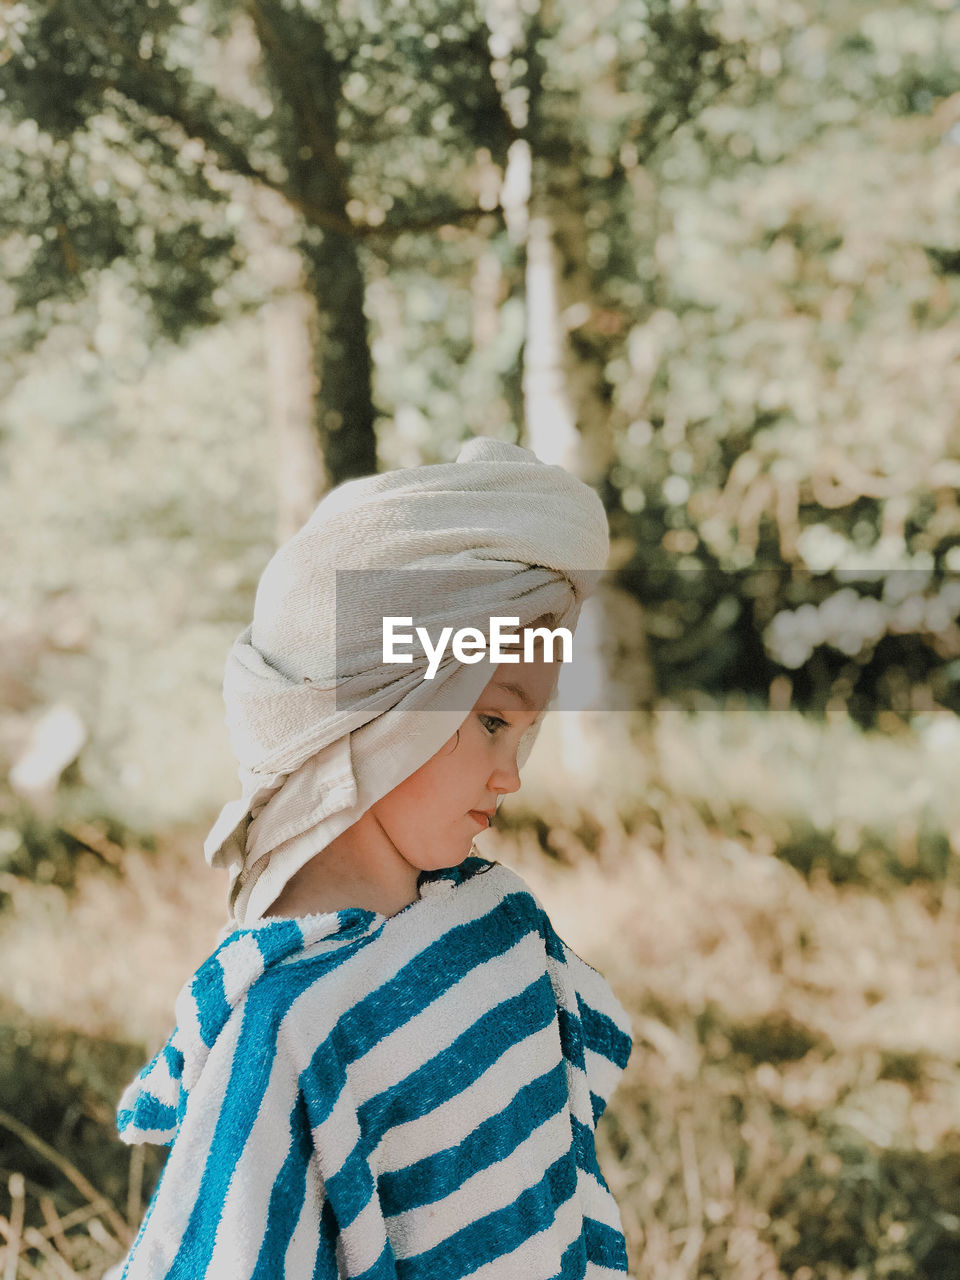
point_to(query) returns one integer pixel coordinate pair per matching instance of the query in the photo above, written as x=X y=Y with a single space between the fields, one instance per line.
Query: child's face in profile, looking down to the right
x=428 y=816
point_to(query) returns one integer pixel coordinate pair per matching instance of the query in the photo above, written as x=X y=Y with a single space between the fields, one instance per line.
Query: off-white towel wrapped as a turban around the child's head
x=317 y=752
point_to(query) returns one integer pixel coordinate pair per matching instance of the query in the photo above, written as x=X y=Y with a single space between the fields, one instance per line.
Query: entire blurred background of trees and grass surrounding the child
x=707 y=257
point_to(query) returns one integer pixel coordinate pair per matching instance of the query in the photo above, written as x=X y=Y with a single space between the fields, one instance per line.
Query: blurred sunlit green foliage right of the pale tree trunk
x=783 y=410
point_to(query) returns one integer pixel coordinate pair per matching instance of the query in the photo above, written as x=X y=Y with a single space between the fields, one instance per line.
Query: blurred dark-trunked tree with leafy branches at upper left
x=173 y=141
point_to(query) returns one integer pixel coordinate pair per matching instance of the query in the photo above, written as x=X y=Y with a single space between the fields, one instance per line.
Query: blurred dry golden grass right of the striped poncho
x=793 y=1094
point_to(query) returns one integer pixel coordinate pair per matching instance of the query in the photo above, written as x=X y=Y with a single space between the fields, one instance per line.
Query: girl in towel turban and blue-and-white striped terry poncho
x=391 y=1067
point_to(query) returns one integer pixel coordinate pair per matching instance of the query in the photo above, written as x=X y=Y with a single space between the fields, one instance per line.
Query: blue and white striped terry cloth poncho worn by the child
x=387 y=1099
